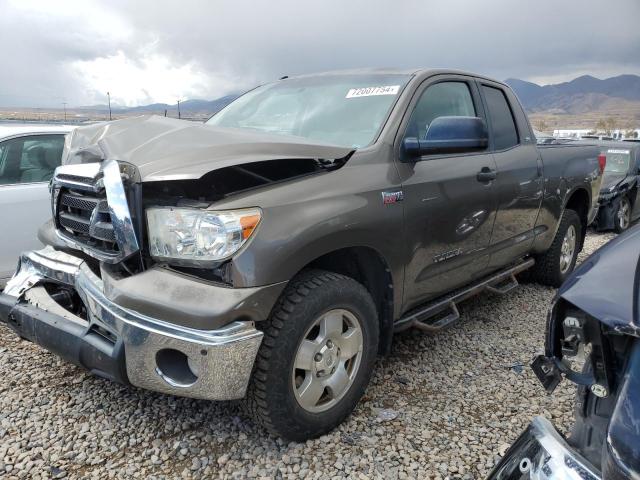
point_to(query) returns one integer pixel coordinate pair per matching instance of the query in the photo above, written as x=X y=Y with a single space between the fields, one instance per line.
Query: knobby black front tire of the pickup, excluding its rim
x=271 y=399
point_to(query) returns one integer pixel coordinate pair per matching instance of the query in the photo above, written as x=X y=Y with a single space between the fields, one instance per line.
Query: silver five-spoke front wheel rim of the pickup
x=327 y=360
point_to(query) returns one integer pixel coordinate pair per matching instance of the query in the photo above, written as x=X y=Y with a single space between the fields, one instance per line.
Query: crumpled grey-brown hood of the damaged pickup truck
x=169 y=149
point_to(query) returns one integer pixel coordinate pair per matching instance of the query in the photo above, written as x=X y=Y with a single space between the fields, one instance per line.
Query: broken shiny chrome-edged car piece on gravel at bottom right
x=541 y=453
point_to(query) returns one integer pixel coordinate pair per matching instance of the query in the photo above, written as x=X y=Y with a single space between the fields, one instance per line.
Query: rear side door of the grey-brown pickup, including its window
x=519 y=183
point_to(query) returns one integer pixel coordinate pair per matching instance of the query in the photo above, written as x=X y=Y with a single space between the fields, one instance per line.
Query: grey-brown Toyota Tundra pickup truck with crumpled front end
x=272 y=252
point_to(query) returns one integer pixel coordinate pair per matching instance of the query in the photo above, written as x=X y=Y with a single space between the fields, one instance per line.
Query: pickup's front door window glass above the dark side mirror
x=443 y=99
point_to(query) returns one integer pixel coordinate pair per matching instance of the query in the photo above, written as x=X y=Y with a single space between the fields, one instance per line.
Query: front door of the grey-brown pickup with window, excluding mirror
x=449 y=209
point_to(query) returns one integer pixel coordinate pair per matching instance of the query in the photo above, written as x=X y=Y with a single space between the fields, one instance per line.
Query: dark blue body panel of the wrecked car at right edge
x=606 y=285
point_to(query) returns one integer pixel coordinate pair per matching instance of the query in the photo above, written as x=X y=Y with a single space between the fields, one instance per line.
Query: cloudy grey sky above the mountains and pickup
x=146 y=51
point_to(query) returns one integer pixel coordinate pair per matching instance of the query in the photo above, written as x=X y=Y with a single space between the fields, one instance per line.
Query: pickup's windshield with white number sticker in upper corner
x=345 y=110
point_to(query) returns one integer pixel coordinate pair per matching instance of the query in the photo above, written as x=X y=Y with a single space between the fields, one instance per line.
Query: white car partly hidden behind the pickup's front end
x=28 y=156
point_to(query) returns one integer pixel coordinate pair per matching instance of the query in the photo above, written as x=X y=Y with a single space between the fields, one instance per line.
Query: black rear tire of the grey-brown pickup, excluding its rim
x=547 y=270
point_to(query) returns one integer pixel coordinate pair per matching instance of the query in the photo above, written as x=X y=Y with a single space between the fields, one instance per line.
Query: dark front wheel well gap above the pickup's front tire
x=369 y=268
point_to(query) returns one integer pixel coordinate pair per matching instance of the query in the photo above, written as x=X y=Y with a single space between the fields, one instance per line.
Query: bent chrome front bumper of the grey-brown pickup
x=157 y=355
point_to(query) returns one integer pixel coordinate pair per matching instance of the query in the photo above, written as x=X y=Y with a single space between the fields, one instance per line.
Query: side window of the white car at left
x=30 y=159
